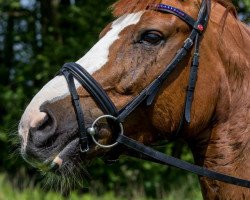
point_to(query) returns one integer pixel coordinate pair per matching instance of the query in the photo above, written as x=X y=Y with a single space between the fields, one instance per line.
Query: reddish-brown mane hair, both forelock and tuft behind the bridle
x=122 y=7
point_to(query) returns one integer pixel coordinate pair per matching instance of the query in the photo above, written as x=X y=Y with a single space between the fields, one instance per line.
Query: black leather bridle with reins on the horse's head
x=115 y=117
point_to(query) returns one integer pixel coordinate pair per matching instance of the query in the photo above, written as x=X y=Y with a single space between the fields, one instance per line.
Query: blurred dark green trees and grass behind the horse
x=36 y=38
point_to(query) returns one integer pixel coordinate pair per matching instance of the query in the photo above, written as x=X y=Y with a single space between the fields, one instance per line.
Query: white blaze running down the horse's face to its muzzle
x=57 y=88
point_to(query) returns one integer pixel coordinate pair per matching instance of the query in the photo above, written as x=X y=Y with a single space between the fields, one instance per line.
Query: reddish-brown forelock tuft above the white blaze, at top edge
x=122 y=7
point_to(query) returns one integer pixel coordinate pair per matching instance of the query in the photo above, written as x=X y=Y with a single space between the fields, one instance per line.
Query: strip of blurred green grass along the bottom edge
x=187 y=190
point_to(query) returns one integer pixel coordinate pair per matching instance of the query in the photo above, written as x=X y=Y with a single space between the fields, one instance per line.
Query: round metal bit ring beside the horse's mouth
x=91 y=131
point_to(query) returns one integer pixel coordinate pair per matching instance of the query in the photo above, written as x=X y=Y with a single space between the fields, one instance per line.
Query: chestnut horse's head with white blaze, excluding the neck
x=133 y=51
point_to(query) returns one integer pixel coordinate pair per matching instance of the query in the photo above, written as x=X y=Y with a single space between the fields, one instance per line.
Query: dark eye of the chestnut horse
x=151 y=38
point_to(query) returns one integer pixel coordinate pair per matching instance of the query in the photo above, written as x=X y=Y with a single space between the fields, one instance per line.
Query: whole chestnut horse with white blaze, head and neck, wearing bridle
x=132 y=53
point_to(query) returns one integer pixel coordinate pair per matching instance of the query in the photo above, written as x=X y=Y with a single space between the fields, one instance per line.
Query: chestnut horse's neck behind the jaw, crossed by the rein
x=224 y=146
